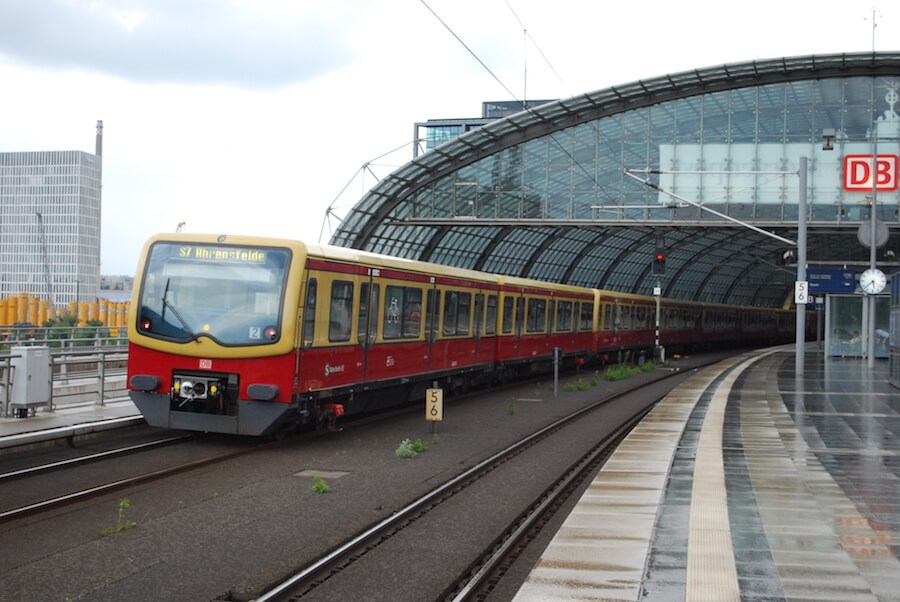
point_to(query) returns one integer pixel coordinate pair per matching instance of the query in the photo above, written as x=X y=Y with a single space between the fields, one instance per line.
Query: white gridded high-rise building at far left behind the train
x=50 y=225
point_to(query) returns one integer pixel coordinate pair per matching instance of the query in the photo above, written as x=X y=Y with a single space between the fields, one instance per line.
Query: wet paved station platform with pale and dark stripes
x=745 y=483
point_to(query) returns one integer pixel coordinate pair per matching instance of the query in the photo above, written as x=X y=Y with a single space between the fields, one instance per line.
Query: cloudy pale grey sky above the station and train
x=256 y=116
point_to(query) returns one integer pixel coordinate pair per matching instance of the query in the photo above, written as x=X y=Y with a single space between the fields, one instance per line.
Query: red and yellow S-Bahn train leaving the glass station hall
x=248 y=335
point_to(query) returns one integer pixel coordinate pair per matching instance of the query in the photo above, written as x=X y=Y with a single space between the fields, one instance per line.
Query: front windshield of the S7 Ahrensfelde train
x=231 y=294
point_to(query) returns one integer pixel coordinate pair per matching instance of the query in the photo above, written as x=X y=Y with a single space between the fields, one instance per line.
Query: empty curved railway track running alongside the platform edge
x=475 y=579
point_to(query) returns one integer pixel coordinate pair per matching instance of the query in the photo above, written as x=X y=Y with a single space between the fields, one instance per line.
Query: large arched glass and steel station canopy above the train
x=586 y=190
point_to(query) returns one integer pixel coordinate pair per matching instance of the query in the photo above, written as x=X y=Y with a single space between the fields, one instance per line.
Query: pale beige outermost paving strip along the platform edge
x=601 y=550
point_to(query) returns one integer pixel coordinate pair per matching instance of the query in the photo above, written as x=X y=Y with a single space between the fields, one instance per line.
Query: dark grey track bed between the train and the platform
x=262 y=504
